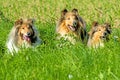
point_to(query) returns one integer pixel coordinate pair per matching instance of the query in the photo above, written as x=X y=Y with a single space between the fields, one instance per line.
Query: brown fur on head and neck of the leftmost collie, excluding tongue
x=24 y=27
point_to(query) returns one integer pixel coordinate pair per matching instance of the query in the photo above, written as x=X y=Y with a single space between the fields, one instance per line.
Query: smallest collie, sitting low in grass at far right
x=98 y=34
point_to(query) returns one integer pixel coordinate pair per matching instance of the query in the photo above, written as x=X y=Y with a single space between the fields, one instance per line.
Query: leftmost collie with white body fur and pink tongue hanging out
x=23 y=34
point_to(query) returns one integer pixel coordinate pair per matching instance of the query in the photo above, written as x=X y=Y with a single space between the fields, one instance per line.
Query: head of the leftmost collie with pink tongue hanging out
x=24 y=29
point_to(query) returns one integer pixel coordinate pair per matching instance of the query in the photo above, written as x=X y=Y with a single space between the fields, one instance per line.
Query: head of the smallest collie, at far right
x=101 y=31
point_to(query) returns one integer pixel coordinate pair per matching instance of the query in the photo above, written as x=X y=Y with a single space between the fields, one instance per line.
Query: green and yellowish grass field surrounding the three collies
x=51 y=62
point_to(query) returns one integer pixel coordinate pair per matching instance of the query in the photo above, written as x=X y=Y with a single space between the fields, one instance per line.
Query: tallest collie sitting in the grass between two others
x=71 y=26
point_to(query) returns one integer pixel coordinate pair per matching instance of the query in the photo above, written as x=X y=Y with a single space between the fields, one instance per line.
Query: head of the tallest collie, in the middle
x=71 y=19
